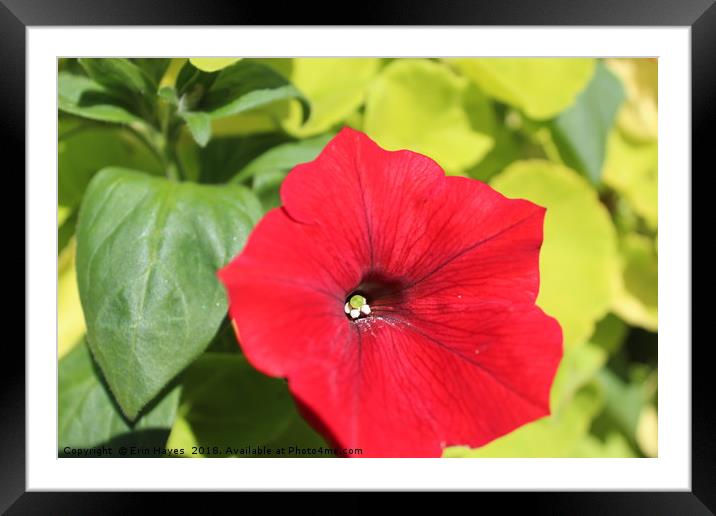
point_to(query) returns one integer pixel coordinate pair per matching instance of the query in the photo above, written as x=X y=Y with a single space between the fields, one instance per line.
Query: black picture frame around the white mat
x=700 y=15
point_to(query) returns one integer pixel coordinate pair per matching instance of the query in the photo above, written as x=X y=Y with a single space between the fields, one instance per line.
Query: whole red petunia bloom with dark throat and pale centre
x=450 y=349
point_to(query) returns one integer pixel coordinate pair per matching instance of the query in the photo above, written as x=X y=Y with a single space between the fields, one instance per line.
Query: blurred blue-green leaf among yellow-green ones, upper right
x=581 y=131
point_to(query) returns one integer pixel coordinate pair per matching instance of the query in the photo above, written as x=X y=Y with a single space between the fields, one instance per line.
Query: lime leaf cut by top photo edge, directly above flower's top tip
x=335 y=88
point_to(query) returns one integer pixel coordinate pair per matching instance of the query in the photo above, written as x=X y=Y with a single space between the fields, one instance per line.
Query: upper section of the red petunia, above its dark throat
x=413 y=222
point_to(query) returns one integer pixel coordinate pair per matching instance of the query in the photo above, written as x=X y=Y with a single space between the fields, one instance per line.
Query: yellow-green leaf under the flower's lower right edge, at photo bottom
x=558 y=435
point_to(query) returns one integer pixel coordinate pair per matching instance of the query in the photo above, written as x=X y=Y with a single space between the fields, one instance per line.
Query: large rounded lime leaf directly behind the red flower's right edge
x=578 y=260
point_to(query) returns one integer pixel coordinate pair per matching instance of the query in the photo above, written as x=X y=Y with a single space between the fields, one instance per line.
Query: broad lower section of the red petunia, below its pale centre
x=408 y=390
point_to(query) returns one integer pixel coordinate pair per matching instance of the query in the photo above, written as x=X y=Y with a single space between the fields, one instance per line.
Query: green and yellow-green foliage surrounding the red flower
x=578 y=136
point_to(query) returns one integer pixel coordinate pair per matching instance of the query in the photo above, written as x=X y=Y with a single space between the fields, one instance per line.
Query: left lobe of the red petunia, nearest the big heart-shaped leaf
x=284 y=294
